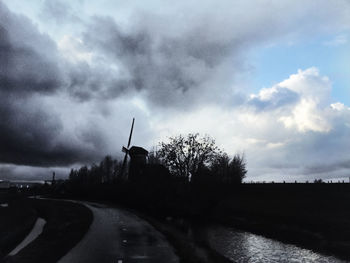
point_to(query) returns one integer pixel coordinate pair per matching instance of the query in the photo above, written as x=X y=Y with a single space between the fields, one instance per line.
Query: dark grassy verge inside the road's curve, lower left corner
x=66 y=225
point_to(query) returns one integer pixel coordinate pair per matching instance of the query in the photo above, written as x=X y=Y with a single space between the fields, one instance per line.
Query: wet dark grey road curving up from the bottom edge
x=117 y=236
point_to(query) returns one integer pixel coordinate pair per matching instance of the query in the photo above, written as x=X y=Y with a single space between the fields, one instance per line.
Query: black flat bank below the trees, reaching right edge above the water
x=314 y=216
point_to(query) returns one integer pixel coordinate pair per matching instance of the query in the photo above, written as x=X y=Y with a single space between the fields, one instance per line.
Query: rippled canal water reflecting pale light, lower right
x=249 y=248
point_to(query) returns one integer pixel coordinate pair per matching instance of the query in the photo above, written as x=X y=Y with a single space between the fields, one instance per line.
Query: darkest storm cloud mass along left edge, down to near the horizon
x=32 y=133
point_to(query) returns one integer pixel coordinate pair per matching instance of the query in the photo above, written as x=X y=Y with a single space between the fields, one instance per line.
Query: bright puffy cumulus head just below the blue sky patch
x=298 y=102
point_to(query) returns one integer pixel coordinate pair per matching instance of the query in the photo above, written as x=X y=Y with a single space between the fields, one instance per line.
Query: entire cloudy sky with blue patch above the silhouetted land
x=266 y=78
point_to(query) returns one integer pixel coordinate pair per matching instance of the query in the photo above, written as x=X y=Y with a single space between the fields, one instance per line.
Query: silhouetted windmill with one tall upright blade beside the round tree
x=138 y=158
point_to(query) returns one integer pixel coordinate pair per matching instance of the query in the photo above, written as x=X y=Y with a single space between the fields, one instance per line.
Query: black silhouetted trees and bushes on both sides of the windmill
x=191 y=158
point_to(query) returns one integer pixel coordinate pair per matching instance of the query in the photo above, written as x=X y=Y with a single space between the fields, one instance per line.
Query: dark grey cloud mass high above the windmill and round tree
x=172 y=70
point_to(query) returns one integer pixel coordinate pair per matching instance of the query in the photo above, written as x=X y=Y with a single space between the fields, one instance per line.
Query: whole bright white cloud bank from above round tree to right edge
x=290 y=131
